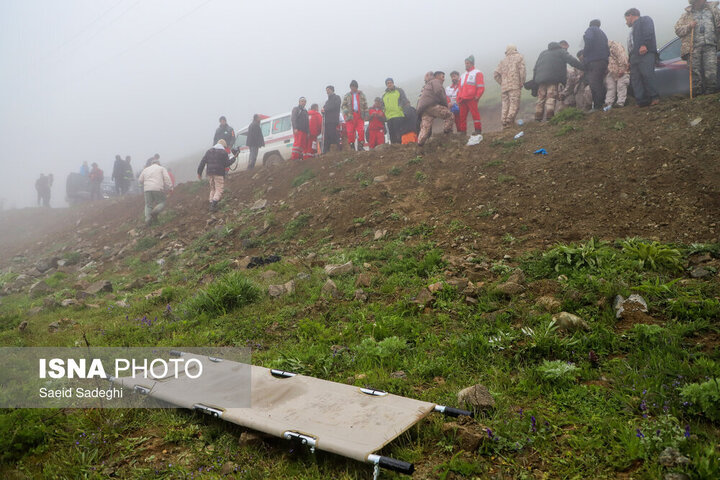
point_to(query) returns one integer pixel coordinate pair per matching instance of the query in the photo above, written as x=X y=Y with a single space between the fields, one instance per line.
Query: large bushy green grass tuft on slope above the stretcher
x=232 y=290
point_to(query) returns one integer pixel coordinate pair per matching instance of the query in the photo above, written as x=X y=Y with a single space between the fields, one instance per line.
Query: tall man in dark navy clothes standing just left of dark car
x=642 y=48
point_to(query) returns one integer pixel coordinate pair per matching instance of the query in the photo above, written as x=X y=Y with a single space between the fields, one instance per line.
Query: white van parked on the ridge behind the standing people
x=277 y=132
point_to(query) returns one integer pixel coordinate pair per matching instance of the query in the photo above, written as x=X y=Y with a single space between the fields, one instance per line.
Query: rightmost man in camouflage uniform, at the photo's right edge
x=699 y=28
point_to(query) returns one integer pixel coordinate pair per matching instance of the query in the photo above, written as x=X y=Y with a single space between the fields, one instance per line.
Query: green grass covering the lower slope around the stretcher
x=651 y=385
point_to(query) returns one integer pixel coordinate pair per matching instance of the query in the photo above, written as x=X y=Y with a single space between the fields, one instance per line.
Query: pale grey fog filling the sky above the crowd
x=84 y=80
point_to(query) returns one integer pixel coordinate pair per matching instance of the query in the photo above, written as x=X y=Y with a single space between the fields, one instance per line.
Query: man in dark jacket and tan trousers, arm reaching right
x=551 y=70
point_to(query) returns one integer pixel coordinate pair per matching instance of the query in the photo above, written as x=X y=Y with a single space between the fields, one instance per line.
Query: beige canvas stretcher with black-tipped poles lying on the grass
x=341 y=419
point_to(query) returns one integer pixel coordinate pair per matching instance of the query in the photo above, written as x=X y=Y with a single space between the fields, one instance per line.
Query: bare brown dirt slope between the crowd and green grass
x=627 y=172
